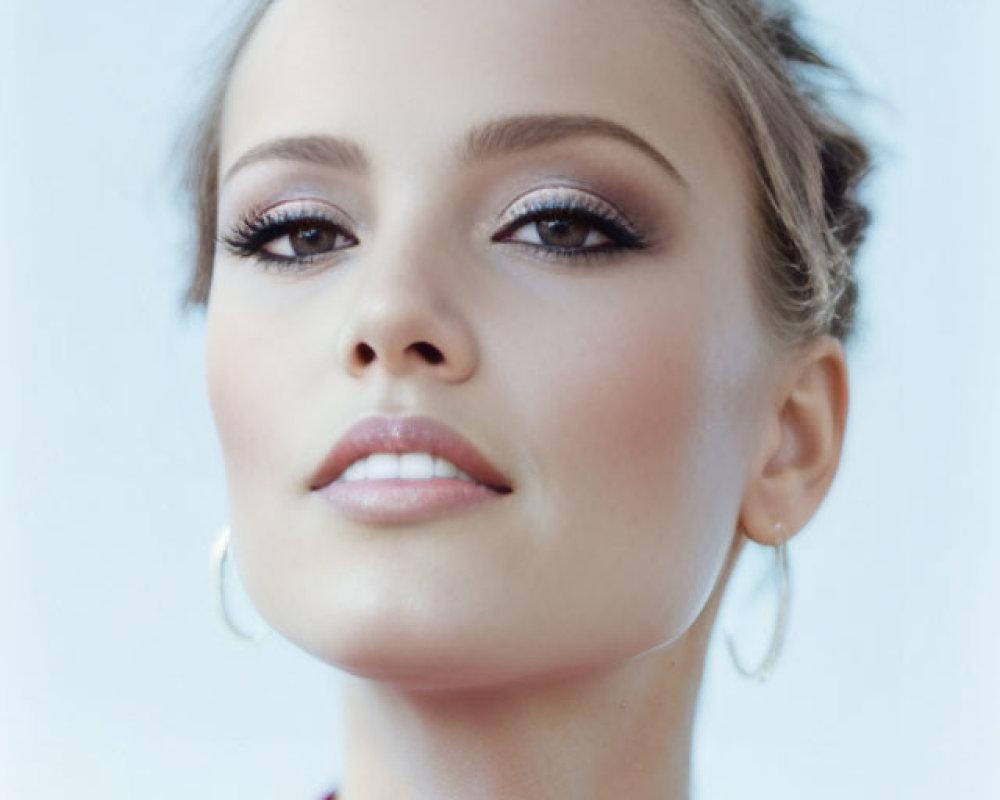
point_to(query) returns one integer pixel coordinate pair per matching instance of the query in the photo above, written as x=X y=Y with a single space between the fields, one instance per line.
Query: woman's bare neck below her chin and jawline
x=625 y=733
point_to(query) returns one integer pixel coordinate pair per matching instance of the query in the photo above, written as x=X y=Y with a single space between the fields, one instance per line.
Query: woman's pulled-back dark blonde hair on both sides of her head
x=808 y=163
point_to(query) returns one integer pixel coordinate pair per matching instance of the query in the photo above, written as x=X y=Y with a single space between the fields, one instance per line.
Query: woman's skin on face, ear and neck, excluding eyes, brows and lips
x=550 y=644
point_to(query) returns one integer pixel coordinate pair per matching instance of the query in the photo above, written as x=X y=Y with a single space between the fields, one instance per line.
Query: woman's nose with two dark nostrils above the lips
x=407 y=319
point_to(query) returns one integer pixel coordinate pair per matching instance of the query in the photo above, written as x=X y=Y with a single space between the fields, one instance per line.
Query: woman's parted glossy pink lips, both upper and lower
x=394 y=500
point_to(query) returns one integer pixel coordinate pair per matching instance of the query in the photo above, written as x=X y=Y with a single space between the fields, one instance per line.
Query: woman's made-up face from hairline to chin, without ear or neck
x=530 y=221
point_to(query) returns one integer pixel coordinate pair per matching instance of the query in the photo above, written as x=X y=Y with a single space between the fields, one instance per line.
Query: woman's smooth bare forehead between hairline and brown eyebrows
x=417 y=73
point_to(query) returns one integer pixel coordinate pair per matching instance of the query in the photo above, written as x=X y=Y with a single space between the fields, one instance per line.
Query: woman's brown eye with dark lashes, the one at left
x=288 y=239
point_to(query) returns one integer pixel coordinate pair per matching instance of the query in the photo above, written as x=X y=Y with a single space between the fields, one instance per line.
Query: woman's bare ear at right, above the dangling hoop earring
x=800 y=447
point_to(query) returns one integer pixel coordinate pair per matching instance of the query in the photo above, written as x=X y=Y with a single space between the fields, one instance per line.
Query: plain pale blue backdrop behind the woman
x=117 y=680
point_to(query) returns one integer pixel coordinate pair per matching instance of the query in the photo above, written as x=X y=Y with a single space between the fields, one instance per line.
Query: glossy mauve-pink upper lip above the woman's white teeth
x=410 y=434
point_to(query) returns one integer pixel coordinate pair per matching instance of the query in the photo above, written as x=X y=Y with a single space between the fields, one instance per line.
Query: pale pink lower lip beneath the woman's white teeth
x=396 y=501
